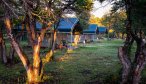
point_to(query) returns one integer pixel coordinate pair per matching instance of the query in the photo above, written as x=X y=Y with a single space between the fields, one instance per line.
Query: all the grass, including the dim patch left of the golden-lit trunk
x=94 y=63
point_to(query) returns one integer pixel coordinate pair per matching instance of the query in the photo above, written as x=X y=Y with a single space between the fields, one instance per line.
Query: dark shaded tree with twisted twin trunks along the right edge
x=132 y=69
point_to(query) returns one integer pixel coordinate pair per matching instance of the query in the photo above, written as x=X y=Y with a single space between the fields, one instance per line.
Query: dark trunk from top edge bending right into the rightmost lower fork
x=140 y=55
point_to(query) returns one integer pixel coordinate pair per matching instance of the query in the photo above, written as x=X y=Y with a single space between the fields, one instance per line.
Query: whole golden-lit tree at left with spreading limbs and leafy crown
x=47 y=12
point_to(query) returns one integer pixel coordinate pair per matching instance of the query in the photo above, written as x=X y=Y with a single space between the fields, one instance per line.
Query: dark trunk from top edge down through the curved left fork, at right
x=124 y=52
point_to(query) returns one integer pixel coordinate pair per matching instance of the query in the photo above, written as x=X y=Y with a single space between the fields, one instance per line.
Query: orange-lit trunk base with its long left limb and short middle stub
x=30 y=69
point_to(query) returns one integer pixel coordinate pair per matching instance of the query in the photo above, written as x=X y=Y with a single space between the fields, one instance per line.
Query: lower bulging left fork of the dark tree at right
x=124 y=56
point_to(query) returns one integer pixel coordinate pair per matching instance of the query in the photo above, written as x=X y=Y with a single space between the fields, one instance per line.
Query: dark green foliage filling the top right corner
x=138 y=16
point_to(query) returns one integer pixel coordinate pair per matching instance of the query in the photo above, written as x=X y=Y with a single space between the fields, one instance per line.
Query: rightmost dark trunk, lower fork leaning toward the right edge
x=139 y=62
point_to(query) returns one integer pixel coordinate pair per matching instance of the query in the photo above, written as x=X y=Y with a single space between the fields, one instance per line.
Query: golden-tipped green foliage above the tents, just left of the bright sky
x=83 y=8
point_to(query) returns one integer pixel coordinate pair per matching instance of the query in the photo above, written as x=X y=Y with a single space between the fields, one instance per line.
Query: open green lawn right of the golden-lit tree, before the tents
x=92 y=63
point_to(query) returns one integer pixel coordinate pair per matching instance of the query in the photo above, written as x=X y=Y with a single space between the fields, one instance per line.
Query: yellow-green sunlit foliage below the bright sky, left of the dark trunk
x=115 y=21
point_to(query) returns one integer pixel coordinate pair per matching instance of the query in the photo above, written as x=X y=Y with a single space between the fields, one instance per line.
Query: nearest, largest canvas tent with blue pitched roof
x=68 y=28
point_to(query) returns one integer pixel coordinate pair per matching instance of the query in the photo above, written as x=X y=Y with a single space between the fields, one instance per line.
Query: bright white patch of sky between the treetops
x=100 y=9
